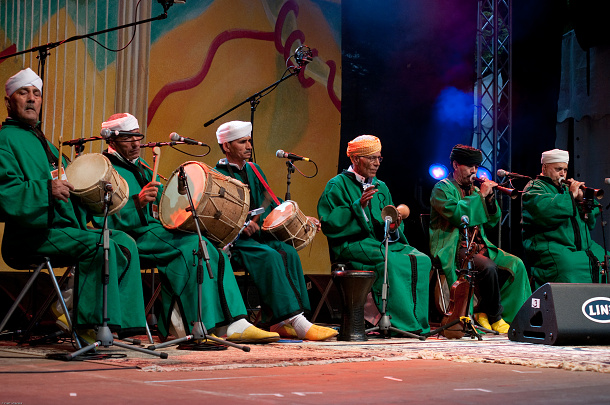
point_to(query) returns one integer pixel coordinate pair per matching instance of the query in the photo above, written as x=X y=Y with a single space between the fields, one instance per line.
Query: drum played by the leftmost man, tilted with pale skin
x=89 y=174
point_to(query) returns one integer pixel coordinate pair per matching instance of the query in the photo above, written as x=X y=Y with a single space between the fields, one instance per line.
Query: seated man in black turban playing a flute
x=501 y=280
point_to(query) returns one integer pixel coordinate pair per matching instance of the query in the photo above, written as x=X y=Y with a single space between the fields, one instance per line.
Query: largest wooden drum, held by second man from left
x=222 y=203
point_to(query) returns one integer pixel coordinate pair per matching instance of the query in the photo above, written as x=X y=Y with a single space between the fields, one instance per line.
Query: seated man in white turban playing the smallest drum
x=275 y=266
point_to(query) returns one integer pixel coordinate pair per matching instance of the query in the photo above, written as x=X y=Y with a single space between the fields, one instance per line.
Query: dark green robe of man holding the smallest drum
x=274 y=266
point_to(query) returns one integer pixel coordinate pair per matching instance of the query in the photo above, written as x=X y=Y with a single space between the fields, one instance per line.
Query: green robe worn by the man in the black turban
x=447 y=208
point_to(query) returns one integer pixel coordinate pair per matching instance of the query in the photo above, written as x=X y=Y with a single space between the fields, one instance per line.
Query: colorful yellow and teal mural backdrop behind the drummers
x=203 y=59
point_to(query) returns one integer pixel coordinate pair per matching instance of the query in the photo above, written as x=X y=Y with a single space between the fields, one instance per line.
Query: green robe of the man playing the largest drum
x=171 y=252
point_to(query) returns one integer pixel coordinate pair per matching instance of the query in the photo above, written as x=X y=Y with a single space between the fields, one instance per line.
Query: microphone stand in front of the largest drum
x=199 y=331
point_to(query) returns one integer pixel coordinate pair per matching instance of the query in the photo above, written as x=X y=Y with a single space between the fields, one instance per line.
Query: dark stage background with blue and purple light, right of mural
x=408 y=76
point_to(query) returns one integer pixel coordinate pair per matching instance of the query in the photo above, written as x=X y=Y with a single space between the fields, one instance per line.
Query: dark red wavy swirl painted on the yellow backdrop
x=275 y=36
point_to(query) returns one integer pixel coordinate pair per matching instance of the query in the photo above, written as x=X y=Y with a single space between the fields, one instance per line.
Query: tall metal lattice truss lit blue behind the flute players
x=493 y=89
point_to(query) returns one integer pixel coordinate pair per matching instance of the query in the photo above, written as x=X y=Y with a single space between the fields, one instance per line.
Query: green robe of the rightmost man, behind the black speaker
x=556 y=236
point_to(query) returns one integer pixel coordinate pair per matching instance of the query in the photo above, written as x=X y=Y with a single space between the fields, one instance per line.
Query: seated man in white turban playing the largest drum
x=171 y=250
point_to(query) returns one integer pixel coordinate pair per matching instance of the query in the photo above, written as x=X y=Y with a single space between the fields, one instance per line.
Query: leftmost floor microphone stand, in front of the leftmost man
x=104 y=336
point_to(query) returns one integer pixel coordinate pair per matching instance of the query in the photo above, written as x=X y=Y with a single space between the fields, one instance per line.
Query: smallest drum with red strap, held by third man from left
x=288 y=224
